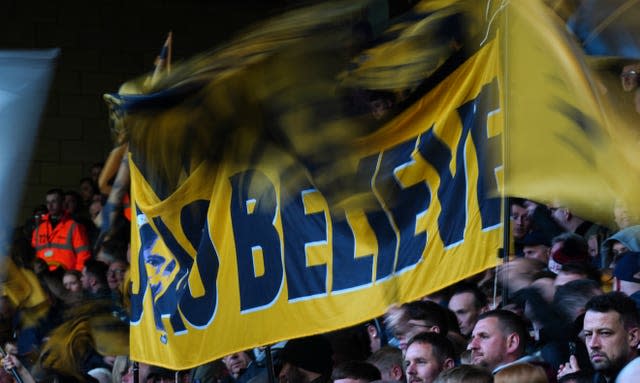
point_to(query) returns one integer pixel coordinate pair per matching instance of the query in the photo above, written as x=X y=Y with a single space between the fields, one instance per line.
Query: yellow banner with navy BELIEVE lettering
x=219 y=267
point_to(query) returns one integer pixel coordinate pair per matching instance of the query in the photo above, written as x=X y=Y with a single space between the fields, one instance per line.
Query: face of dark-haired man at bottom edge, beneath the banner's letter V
x=421 y=365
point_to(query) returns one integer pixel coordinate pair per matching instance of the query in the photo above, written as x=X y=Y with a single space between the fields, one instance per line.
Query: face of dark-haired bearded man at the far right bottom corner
x=610 y=345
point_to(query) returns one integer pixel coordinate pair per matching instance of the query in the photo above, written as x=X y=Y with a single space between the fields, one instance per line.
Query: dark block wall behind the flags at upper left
x=104 y=43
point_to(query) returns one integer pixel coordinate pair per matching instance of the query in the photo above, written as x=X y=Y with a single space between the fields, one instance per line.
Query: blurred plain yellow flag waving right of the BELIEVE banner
x=569 y=141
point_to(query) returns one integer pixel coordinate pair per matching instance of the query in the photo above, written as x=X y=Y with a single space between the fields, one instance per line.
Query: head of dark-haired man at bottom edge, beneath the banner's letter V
x=428 y=354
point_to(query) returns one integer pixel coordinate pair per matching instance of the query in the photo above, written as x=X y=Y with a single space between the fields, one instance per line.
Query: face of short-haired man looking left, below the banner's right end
x=488 y=344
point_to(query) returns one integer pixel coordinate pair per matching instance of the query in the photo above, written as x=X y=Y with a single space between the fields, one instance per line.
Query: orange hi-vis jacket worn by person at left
x=66 y=245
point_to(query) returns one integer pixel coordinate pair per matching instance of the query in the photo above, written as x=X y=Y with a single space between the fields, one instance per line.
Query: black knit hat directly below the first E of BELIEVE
x=313 y=353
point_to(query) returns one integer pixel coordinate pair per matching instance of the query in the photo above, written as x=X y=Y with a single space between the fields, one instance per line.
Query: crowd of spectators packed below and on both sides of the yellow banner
x=564 y=308
